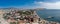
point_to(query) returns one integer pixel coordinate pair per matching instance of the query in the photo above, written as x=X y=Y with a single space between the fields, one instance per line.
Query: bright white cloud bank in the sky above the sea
x=48 y=5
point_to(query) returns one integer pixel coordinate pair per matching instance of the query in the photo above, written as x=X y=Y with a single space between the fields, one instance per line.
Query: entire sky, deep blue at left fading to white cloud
x=49 y=4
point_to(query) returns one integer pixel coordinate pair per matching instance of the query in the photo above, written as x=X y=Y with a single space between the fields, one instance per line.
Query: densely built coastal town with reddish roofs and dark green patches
x=12 y=16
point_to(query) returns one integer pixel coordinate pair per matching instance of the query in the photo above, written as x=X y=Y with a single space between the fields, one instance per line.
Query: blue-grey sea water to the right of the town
x=44 y=14
